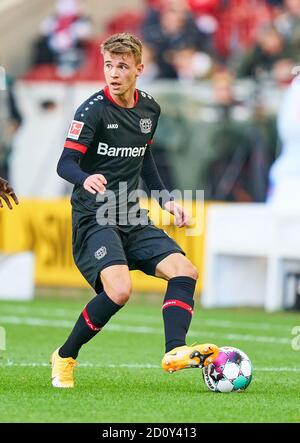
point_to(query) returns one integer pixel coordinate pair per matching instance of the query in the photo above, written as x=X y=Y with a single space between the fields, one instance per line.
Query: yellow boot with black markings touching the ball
x=195 y=356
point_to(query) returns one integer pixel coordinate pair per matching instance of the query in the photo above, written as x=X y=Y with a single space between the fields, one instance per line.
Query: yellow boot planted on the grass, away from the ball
x=62 y=371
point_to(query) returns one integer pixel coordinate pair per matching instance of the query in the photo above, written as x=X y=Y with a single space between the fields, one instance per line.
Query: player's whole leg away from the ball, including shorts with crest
x=102 y=261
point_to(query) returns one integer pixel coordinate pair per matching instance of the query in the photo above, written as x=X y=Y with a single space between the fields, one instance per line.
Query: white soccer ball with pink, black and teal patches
x=231 y=371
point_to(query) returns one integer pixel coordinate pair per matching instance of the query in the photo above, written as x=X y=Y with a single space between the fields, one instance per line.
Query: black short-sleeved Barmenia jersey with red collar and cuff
x=113 y=140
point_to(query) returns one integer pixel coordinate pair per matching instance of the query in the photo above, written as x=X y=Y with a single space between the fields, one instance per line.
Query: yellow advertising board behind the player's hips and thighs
x=44 y=227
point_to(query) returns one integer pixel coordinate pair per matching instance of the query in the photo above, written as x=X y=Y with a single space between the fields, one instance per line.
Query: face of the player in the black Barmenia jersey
x=121 y=72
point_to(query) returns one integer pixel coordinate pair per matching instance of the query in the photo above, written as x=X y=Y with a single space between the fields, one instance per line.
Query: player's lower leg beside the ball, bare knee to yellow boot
x=177 y=314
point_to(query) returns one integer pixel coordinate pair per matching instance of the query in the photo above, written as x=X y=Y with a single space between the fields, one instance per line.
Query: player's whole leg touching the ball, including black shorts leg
x=154 y=252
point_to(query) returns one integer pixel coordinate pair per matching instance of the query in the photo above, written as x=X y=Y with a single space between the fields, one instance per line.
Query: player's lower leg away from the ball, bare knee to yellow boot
x=117 y=289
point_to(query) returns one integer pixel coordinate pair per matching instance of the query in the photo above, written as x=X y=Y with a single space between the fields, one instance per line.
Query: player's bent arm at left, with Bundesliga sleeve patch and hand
x=80 y=137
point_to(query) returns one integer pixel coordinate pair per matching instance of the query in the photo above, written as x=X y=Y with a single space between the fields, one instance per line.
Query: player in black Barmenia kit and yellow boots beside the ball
x=108 y=148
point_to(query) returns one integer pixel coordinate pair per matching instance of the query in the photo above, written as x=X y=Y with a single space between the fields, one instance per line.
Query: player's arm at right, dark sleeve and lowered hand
x=151 y=177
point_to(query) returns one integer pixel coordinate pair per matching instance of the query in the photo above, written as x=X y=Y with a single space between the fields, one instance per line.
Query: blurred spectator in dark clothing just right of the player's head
x=170 y=28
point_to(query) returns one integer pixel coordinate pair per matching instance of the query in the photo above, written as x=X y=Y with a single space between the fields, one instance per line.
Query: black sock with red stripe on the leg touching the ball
x=177 y=310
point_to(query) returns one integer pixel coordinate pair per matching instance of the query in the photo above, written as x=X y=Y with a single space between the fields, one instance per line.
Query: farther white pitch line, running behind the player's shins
x=38 y=322
